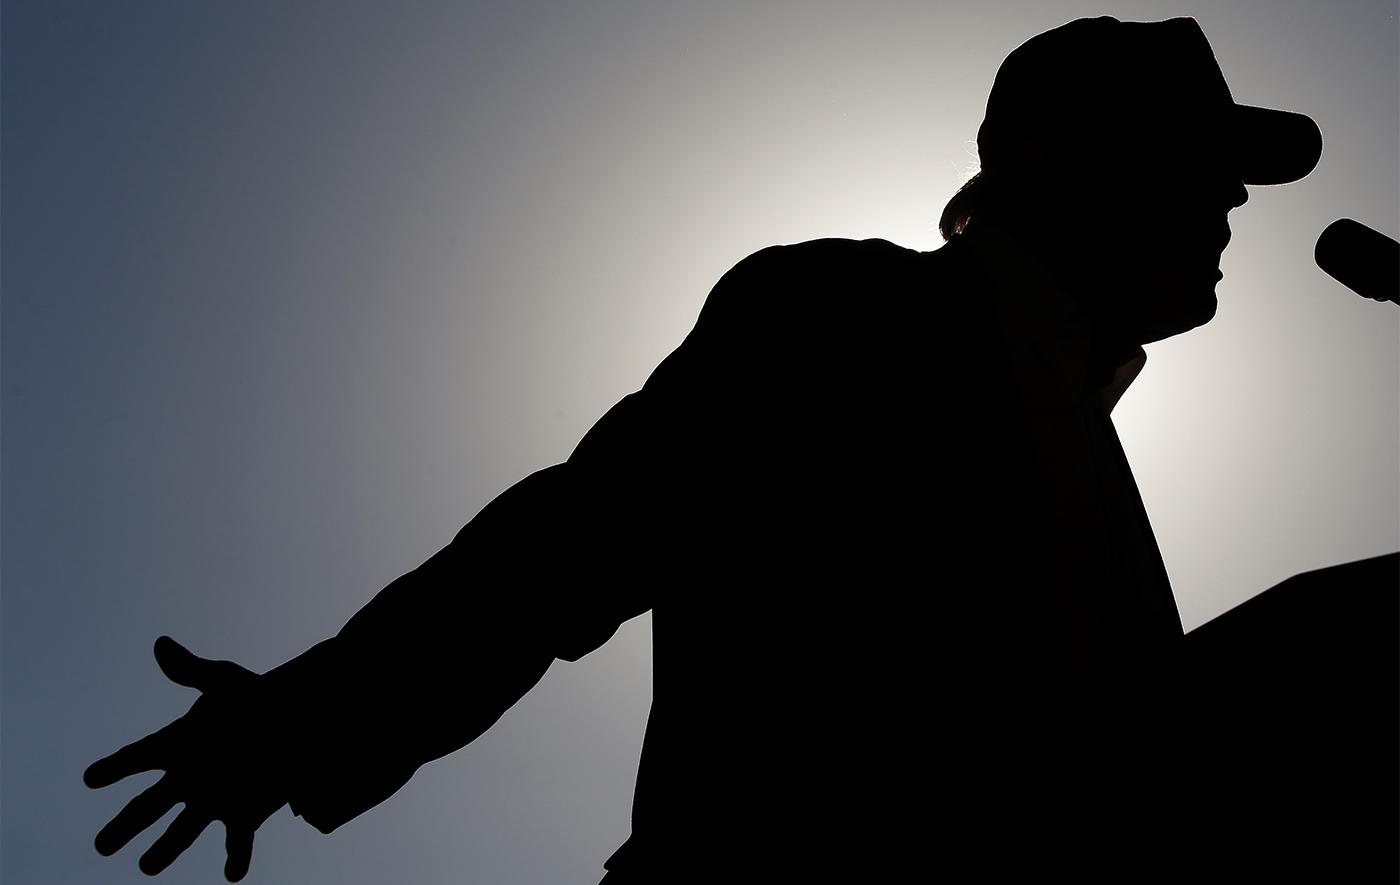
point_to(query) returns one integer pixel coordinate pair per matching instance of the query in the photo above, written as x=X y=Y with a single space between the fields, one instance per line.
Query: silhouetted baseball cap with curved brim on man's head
x=1139 y=92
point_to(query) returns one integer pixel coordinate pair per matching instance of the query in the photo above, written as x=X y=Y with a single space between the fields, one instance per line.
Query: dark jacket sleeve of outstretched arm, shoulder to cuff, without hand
x=549 y=569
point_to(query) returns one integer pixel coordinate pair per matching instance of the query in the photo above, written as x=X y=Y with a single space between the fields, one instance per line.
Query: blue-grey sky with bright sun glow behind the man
x=292 y=291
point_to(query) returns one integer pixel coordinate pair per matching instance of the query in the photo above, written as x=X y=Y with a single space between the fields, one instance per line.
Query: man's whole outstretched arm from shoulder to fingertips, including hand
x=548 y=569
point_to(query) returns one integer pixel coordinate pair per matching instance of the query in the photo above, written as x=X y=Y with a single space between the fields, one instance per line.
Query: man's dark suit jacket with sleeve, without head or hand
x=891 y=627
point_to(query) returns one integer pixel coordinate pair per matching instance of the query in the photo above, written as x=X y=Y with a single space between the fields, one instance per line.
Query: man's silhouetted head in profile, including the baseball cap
x=1115 y=152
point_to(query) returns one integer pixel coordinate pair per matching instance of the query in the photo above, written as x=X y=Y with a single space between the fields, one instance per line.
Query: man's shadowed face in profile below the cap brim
x=1163 y=244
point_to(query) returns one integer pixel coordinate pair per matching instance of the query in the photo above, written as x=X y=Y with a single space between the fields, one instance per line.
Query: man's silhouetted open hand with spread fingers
x=218 y=761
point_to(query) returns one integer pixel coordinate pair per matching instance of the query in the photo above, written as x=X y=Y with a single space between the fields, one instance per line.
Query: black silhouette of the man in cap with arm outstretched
x=909 y=611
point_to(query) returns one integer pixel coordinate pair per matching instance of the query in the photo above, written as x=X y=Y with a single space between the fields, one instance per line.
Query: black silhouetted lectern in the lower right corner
x=1294 y=698
